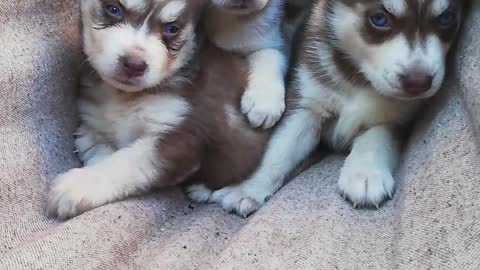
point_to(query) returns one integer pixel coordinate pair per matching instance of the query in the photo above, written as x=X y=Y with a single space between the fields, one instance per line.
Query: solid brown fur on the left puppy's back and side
x=223 y=154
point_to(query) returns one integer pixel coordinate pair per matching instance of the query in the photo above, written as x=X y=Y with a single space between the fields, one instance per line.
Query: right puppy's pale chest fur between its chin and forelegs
x=352 y=108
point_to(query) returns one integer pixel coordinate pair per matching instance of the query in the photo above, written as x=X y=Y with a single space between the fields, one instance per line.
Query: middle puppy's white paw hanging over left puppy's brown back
x=264 y=104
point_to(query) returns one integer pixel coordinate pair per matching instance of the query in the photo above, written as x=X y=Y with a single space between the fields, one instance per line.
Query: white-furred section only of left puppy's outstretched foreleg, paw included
x=126 y=172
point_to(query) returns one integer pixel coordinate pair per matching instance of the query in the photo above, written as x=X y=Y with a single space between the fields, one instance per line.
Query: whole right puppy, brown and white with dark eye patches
x=363 y=70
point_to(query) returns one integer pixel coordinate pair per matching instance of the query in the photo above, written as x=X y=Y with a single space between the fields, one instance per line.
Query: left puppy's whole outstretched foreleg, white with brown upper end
x=129 y=171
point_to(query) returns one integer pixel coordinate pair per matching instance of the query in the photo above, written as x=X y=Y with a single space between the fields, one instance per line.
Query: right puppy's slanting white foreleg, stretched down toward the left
x=290 y=144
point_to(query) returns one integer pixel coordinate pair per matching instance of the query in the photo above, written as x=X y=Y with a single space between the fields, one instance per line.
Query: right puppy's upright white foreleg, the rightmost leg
x=366 y=177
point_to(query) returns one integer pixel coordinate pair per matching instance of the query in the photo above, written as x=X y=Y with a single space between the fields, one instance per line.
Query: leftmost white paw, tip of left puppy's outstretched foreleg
x=75 y=192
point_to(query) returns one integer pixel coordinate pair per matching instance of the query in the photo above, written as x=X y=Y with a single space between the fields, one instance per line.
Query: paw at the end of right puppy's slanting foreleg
x=239 y=200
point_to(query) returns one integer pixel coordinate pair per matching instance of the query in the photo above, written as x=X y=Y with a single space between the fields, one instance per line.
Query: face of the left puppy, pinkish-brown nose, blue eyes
x=136 y=44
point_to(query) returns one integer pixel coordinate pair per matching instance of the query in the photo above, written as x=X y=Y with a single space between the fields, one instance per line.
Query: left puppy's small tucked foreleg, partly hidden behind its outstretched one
x=90 y=146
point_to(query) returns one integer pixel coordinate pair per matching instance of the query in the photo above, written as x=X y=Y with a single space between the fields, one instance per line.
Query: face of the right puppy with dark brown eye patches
x=399 y=46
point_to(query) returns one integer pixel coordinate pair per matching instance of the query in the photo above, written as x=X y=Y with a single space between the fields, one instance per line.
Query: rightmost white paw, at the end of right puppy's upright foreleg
x=365 y=185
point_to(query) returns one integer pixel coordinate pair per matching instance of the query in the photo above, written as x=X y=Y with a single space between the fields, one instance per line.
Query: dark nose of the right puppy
x=416 y=81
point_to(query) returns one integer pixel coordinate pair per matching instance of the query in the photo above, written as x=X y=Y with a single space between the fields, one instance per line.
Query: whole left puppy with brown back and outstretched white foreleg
x=158 y=108
